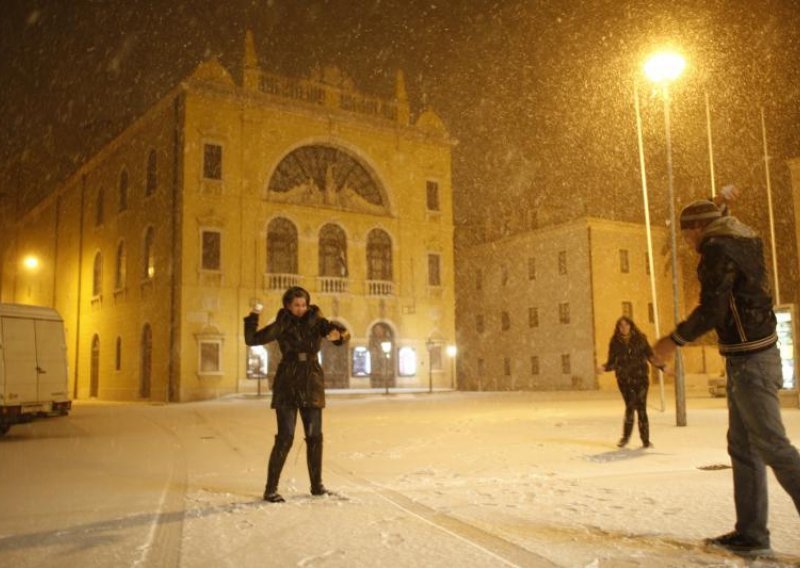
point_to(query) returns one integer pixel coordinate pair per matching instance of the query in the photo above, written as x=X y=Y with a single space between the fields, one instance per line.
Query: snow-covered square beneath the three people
x=449 y=479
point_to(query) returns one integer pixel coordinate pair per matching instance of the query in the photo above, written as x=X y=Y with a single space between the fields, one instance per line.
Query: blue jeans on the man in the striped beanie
x=756 y=437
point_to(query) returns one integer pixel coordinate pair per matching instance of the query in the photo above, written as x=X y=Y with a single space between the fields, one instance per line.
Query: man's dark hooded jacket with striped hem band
x=734 y=295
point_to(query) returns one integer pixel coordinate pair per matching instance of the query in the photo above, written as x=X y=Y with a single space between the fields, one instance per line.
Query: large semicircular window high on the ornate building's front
x=327 y=176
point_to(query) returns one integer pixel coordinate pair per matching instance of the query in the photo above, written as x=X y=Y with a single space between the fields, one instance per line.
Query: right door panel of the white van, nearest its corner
x=51 y=361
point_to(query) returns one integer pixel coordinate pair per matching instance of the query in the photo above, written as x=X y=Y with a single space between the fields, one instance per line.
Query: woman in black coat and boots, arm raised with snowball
x=299 y=383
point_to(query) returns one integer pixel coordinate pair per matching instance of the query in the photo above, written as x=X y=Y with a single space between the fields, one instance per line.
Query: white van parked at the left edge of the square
x=33 y=364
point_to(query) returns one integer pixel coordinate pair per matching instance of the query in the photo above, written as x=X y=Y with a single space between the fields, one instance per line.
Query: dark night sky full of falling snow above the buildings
x=538 y=94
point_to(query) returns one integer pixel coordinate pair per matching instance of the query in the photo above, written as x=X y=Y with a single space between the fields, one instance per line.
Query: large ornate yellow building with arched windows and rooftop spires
x=225 y=194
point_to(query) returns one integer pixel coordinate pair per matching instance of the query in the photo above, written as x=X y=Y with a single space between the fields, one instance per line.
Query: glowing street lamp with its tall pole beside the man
x=663 y=68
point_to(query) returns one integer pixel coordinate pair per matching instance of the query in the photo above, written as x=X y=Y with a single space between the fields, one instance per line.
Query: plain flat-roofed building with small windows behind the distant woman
x=536 y=309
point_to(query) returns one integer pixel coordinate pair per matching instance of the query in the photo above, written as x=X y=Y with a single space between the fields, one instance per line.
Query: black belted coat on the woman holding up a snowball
x=299 y=381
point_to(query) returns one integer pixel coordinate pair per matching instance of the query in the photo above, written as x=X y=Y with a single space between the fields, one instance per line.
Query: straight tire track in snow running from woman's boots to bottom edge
x=505 y=551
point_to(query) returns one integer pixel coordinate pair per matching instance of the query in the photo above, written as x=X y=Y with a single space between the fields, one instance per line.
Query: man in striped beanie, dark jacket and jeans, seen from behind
x=735 y=301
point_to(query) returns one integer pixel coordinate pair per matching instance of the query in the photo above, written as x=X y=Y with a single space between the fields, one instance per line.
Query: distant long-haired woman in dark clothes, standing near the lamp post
x=628 y=354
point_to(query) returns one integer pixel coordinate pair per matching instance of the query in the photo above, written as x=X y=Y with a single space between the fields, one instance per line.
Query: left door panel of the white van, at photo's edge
x=19 y=354
